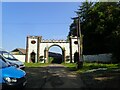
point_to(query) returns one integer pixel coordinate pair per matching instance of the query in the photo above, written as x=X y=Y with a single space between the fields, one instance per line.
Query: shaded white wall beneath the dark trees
x=99 y=58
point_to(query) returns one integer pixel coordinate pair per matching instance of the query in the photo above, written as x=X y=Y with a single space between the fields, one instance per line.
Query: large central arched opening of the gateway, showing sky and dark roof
x=55 y=54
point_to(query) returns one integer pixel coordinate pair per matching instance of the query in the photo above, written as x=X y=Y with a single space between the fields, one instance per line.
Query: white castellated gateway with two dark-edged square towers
x=37 y=49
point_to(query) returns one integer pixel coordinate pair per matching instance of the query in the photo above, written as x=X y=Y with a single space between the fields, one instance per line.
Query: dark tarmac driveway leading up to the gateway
x=52 y=76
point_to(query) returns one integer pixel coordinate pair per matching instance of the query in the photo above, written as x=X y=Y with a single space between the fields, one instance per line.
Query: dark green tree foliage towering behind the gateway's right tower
x=100 y=26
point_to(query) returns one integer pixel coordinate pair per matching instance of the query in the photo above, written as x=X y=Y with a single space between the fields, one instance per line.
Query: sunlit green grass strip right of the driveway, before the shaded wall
x=91 y=66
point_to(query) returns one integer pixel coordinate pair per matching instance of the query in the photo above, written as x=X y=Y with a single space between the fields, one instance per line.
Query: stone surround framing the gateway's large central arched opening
x=46 y=53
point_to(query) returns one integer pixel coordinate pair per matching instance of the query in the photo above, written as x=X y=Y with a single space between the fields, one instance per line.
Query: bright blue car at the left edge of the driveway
x=10 y=76
